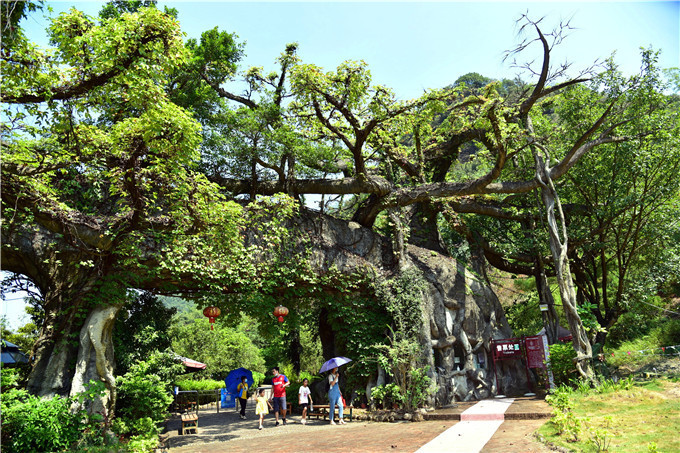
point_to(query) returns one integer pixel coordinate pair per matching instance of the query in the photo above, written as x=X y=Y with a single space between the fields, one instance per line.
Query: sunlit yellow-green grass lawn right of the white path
x=644 y=418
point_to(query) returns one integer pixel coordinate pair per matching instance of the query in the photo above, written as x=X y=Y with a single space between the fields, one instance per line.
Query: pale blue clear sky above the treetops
x=411 y=47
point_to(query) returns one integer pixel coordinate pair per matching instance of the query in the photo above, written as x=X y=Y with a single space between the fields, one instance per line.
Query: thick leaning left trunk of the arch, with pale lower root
x=74 y=345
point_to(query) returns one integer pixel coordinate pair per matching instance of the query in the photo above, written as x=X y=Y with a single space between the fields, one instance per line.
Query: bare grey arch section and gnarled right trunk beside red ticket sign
x=461 y=314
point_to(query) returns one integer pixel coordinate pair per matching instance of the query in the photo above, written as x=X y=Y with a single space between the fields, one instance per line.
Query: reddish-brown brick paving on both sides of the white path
x=225 y=432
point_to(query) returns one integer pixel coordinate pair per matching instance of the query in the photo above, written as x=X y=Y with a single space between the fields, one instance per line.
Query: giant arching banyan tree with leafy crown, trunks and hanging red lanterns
x=127 y=164
